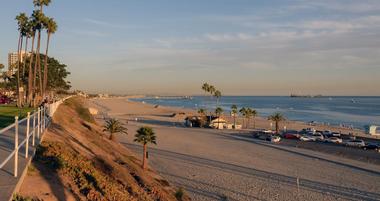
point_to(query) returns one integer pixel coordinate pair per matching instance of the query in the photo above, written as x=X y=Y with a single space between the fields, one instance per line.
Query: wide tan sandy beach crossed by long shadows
x=219 y=164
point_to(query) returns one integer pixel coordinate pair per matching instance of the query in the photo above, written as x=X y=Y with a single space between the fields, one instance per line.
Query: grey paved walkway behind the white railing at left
x=7 y=180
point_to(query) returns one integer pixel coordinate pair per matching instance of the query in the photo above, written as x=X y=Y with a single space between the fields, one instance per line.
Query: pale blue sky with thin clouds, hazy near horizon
x=243 y=47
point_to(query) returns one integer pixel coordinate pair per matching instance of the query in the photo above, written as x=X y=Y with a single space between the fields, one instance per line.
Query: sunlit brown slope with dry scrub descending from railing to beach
x=92 y=167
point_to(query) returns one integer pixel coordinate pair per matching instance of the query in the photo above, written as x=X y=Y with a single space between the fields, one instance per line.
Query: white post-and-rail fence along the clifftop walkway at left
x=34 y=126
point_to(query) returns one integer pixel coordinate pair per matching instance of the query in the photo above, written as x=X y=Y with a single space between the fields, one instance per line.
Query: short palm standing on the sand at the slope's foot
x=144 y=136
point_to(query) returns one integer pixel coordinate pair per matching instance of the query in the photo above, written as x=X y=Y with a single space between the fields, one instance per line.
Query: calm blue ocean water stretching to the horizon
x=342 y=110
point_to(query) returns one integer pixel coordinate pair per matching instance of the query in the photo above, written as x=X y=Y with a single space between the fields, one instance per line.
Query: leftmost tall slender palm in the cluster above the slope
x=22 y=21
